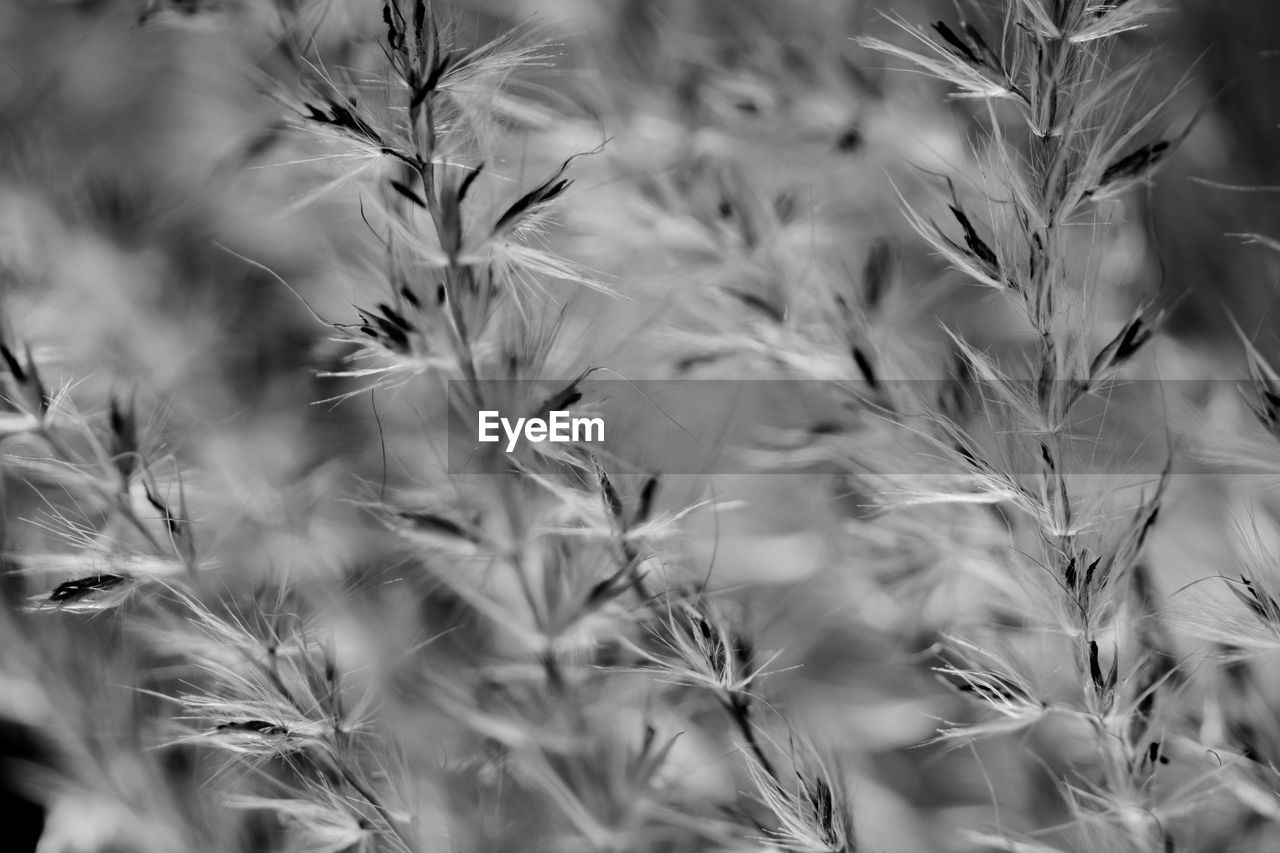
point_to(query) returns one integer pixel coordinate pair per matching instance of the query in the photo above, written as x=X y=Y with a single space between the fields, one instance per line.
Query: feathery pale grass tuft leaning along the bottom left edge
x=266 y=688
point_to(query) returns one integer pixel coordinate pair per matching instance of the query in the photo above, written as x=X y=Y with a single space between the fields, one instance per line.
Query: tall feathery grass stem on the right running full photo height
x=1071 y=147
